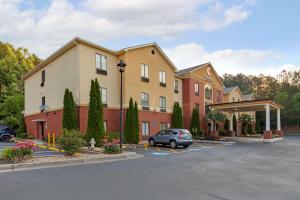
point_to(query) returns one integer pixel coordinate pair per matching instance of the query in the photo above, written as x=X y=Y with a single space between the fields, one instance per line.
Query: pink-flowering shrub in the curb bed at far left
x=22 y=151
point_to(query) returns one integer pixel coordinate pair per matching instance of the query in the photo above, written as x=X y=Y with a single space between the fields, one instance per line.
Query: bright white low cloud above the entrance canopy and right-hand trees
x=230 y=61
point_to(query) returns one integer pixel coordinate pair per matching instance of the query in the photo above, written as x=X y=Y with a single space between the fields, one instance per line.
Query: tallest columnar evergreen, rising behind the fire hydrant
x=95 y=127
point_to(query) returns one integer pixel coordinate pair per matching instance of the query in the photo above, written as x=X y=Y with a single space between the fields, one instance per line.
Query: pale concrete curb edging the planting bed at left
x=24 y=166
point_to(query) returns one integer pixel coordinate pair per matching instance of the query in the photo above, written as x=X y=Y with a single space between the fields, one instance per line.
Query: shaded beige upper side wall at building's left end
x=60 y=74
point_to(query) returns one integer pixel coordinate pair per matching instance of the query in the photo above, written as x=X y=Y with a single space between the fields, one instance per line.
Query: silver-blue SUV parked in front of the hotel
x=172 y=137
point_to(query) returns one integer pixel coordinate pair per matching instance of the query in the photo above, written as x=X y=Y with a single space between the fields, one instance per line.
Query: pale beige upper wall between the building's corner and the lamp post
x=88 y=72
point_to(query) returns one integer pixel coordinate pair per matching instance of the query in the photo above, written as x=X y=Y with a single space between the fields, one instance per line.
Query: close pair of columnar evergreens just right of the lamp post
x=132 y=124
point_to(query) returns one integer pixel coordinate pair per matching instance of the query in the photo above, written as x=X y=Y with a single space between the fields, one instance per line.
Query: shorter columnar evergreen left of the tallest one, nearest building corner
x=69 y=112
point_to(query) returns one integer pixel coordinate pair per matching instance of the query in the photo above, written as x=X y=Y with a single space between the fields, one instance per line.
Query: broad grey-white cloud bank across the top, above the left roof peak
x=45 y=30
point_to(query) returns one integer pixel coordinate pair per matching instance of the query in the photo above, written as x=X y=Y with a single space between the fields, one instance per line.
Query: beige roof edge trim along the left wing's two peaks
x=77 y=40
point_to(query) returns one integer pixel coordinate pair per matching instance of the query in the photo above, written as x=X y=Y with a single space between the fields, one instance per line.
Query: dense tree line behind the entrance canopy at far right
x=283 y=88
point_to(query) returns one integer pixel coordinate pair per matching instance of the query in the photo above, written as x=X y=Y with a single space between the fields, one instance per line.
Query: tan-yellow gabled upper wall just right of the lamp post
x=133 y=84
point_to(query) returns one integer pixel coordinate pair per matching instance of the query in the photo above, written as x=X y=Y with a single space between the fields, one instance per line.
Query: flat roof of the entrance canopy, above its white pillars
x=247 y=106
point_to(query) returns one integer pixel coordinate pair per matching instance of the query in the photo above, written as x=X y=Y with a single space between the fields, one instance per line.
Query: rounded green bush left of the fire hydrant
x=71 y=142
